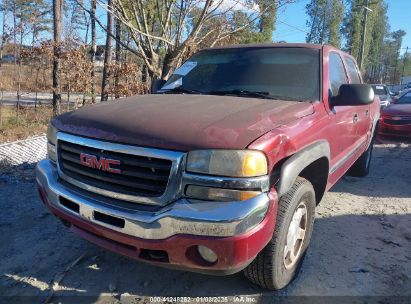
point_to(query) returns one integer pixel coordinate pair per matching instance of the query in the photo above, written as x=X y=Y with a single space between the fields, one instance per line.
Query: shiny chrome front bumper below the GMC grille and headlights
x=184 y=216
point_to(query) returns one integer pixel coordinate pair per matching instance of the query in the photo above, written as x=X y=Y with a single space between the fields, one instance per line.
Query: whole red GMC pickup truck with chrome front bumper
x=220 y=170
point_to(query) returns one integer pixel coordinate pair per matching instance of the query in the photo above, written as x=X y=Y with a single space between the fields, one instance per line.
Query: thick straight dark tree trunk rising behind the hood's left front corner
x=57 y=8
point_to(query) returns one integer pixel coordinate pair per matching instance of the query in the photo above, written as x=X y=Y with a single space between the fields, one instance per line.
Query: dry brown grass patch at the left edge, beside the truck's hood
x=29 y=123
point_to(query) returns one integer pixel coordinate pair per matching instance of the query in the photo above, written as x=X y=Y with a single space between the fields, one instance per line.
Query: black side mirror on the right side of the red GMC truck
x=353 y=95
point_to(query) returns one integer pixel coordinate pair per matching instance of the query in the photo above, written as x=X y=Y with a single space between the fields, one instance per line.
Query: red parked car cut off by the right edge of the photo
x=396 y=118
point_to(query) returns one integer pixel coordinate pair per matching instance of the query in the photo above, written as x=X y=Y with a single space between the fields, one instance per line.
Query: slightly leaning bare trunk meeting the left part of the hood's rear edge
x=107 y=54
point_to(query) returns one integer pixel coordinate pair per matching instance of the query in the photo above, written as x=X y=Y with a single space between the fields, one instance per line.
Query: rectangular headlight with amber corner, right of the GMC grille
x=232 y=163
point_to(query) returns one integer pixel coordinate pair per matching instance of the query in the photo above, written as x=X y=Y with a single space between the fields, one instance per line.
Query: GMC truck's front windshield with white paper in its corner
x=281 y=73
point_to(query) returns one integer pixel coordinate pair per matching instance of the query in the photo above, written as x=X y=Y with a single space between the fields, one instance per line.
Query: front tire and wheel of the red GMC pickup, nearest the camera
x=271 y=269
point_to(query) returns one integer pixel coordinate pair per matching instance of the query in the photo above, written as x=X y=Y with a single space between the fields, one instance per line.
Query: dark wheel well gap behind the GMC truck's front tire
x=317 y=174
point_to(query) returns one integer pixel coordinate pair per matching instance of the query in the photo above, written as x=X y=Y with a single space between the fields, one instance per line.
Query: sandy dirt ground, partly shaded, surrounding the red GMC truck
x=361 y=246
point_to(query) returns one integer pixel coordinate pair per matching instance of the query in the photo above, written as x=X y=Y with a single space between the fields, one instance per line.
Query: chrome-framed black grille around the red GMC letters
x=145 y=174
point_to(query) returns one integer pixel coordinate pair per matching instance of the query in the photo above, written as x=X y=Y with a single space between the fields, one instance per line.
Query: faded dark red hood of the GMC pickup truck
x=182 y=122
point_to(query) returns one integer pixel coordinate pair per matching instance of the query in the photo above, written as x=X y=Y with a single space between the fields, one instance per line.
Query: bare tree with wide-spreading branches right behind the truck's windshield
x=165 y=32
